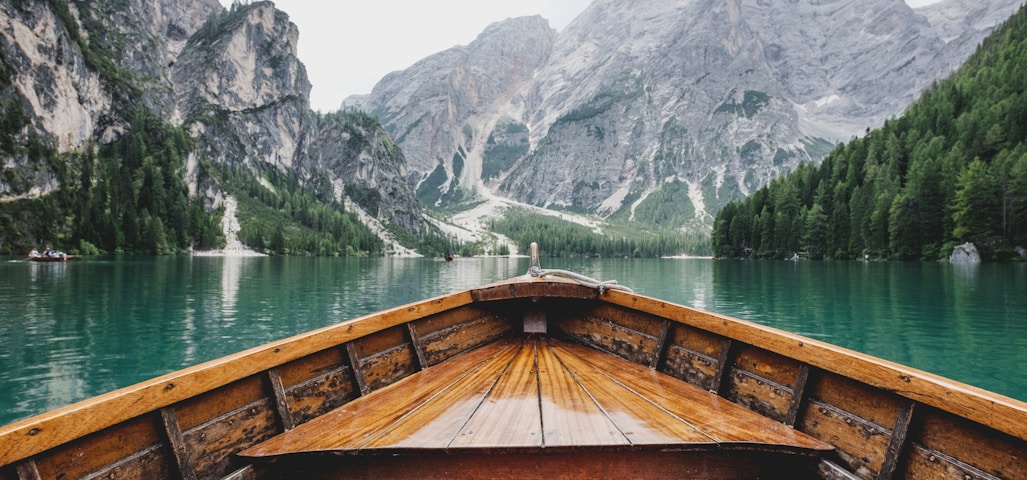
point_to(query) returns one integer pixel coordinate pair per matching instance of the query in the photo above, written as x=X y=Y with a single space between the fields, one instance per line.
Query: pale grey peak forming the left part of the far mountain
x=464 y=92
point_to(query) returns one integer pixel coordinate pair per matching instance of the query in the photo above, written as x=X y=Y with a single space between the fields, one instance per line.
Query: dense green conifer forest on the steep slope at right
x=953 y=169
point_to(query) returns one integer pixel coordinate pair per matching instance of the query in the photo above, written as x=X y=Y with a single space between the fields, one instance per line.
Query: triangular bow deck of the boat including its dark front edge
x=541 y=405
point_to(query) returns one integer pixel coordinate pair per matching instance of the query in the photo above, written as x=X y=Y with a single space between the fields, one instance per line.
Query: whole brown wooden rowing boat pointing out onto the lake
x=538 y=377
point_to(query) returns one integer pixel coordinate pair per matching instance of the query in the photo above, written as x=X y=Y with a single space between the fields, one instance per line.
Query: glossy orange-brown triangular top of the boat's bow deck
x=538 y=393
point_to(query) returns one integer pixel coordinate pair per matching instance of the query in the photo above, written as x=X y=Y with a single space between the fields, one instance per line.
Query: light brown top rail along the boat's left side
x=23 y=439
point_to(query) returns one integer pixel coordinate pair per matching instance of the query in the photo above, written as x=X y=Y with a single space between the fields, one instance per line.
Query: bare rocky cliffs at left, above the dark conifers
x=73 y=73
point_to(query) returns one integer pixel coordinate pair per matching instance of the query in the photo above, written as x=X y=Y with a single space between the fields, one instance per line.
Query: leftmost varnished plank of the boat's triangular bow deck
x=351 y=427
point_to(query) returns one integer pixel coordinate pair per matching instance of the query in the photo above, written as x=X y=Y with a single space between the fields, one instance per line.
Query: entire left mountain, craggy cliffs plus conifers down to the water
x=127 y=126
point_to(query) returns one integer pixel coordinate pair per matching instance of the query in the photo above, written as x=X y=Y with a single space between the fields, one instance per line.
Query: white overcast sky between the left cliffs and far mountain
x=349 y=46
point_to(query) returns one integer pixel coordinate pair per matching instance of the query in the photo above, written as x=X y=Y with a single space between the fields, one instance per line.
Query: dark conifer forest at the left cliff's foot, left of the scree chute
x=127 y=197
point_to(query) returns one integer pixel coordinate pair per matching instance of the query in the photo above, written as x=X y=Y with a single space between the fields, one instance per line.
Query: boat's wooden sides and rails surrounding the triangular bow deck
x=883 y=420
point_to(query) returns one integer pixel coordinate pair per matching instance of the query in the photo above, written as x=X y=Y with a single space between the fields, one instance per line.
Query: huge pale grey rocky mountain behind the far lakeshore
x=661 y=113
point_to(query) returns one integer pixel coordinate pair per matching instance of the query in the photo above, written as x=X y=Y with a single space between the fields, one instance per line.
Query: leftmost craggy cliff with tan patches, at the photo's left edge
x=64 y=88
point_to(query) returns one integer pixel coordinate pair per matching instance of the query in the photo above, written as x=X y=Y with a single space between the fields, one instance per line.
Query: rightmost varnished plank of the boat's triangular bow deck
x=718 y=419
